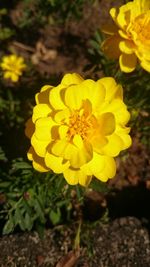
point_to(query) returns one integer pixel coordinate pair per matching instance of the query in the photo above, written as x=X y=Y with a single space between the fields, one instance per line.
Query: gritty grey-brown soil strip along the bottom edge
x=123 y=242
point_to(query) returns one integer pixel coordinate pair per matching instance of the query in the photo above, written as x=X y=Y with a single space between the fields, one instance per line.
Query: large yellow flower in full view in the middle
x=77 y=129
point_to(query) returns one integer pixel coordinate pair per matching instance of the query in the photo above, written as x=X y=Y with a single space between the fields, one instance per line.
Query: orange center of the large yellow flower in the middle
x=80 y=124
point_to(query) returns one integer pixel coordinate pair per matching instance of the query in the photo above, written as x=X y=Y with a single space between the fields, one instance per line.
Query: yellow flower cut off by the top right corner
x=130 y=35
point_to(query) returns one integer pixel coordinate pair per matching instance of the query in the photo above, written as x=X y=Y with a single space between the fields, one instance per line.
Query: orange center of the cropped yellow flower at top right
x=139 y=29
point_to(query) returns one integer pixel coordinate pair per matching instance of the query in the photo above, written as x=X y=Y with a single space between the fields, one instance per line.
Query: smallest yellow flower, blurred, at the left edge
x=12 y=67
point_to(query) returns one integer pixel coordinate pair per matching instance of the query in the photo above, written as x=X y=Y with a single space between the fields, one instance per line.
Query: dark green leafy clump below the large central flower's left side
x=32 y=199
